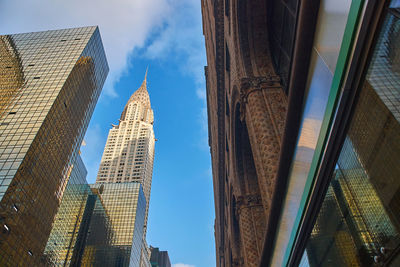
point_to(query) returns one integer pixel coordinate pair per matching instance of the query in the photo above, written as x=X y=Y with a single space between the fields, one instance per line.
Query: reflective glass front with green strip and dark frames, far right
x=342 y=204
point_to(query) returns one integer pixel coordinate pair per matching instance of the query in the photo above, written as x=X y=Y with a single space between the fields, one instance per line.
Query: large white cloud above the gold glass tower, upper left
x=124 y=24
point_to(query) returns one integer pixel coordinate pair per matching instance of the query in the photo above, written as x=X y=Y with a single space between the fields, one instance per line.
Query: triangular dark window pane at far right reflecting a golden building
x=359 y=221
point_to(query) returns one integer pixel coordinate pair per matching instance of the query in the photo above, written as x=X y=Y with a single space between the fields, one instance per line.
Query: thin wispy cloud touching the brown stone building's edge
x=181 y=35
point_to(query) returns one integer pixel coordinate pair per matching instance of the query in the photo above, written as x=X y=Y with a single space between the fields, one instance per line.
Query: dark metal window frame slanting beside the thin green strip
x=345 y=102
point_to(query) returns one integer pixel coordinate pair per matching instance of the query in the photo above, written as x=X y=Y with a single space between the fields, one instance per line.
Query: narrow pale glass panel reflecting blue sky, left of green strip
x=323 y=62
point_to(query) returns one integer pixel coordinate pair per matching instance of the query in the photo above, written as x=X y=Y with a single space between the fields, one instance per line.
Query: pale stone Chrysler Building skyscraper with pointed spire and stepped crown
x=129 y=152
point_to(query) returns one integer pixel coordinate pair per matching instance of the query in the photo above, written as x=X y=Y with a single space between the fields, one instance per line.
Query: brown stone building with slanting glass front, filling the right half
x=303 y=106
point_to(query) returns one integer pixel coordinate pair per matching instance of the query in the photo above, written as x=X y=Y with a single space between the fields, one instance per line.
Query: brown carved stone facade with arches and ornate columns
x=246 y=112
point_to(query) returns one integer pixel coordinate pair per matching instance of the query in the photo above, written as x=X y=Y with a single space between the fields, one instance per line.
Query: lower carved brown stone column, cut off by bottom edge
x=250 y=212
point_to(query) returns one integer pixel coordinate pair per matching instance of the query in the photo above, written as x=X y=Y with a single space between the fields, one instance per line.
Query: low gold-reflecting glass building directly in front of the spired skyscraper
x=125 y=205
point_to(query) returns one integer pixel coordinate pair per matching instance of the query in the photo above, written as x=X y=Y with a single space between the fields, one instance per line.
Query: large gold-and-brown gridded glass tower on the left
x=49 y=84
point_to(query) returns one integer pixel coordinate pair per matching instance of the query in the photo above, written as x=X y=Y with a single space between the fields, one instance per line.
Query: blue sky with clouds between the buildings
x=165 y=35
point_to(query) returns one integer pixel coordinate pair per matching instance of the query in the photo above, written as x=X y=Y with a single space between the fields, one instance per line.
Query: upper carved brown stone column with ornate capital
x=263 y=107
